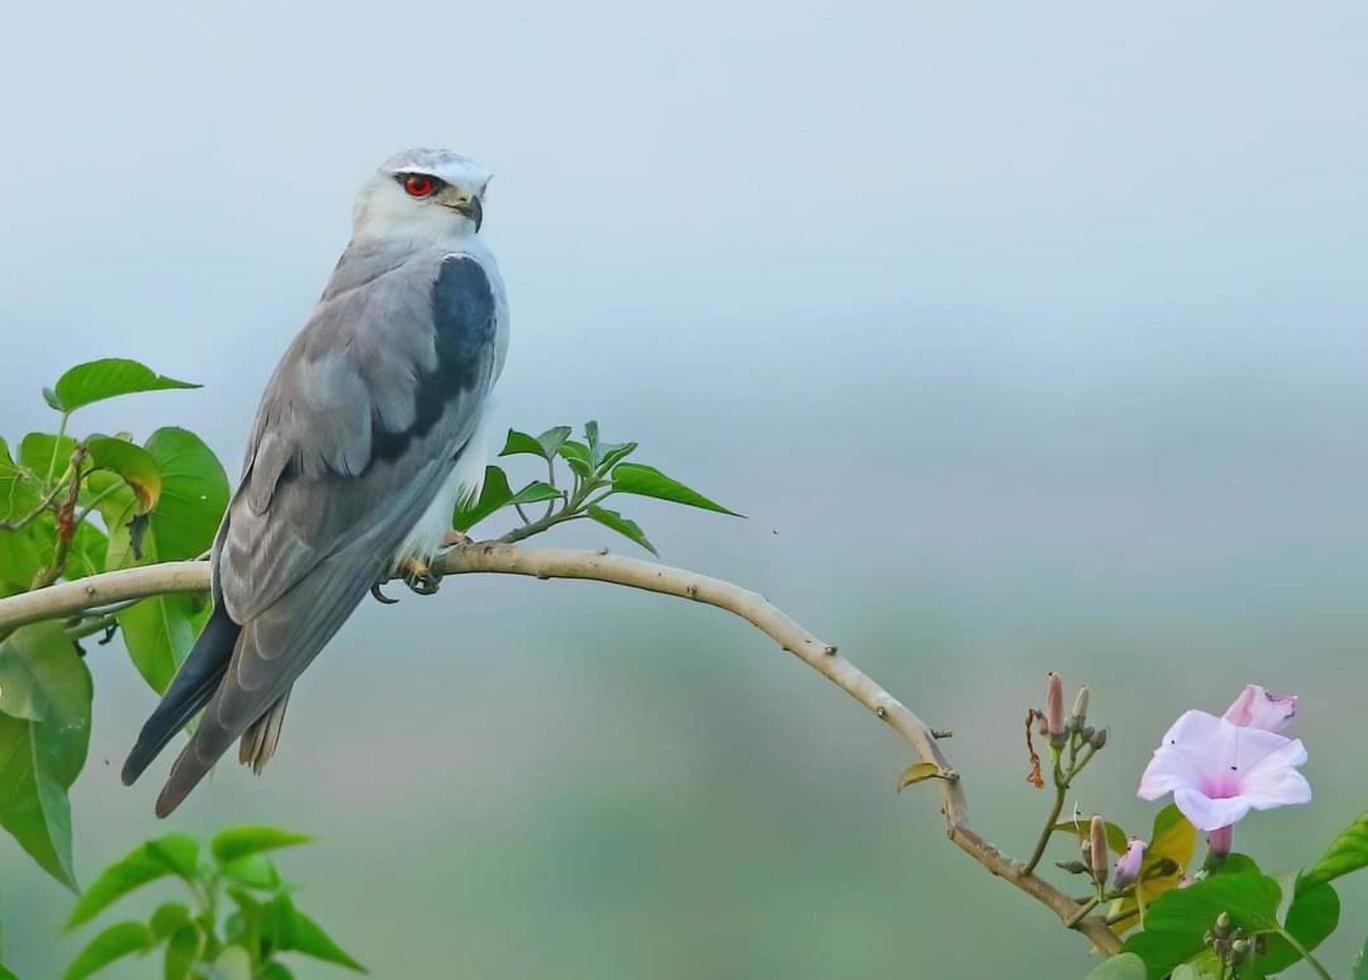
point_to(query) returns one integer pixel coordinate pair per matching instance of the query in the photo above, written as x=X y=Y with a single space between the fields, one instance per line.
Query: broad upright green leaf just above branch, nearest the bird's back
x=195 y=495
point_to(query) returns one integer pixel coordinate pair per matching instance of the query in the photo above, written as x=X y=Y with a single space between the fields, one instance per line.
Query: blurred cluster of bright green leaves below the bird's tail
x=239 y=922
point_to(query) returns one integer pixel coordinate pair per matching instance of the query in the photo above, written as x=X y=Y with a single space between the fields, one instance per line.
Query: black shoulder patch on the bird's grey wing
x=463 y=317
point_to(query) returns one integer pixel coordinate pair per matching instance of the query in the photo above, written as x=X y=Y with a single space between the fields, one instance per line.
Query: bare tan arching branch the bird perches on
x=559 y=563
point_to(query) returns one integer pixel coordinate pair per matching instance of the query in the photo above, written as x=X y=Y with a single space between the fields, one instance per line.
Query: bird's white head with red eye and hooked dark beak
x=422 y=195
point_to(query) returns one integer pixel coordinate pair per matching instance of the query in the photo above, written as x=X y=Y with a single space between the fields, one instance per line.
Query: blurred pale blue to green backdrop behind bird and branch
x=1029 y=339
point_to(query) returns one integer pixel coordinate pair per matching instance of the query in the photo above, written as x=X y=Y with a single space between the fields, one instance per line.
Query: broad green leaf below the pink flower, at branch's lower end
x=1176 y=922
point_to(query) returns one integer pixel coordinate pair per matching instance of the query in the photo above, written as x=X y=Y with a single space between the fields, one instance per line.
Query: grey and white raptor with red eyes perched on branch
x=369 y=433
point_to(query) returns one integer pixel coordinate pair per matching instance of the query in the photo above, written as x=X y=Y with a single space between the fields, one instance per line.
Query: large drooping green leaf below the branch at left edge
x=43 y=752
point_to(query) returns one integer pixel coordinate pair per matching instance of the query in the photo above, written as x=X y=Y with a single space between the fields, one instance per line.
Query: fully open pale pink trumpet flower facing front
x=1220 y=771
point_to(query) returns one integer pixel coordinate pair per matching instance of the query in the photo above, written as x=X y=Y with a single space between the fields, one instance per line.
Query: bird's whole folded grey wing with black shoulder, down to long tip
x=359 y=429
